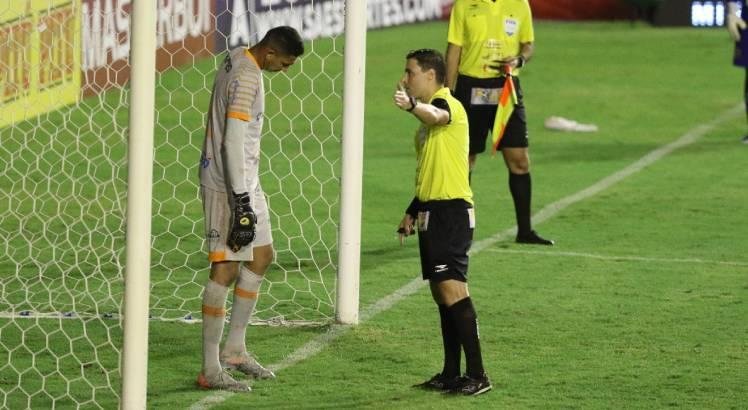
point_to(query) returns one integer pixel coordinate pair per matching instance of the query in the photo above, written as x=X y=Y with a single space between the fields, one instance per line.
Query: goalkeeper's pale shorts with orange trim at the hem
x=218 y=221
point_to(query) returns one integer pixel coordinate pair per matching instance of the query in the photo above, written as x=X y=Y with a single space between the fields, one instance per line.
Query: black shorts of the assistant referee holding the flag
x=481 y=116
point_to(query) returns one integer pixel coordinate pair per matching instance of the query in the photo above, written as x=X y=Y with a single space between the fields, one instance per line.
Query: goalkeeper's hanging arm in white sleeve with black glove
x=241 y=174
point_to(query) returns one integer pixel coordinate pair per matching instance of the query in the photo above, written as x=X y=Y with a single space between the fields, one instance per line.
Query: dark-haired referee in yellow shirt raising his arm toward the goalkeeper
x=442 y=212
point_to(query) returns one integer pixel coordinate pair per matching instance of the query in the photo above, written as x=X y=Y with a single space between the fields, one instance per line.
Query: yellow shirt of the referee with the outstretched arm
x=442 y=151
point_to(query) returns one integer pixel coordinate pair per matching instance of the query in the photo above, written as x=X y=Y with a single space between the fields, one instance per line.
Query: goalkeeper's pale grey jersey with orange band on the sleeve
x=238 y=93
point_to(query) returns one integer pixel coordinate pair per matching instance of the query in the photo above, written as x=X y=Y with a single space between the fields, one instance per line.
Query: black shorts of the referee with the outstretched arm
x=445 y=233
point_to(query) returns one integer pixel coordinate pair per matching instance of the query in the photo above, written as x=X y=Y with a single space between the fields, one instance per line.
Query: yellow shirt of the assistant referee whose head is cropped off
x=489 y=30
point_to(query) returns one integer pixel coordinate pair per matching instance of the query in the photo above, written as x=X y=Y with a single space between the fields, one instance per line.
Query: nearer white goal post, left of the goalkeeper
x=139 y=199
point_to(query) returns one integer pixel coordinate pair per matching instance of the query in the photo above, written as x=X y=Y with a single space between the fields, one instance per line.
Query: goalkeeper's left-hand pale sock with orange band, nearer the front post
x=214 y=314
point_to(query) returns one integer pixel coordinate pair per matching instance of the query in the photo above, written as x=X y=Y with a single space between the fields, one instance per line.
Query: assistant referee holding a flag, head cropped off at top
x=485 y=35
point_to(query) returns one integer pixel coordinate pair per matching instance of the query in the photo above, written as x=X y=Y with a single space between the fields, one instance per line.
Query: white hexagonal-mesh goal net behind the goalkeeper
x=63 y=149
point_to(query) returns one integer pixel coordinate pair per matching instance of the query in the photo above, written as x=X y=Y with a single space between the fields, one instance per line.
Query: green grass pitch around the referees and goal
x=641 y=304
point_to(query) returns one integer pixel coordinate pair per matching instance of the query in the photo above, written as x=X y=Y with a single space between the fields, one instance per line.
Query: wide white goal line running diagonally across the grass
x=316 y=345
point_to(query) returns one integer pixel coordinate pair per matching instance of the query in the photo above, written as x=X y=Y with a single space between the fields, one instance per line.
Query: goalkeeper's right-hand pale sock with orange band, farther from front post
x=245 y=299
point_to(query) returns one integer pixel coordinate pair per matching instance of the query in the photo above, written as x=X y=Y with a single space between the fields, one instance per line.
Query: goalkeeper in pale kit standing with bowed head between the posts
x=237 y=223
